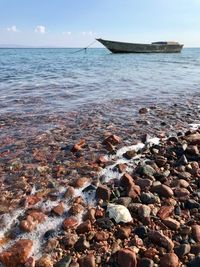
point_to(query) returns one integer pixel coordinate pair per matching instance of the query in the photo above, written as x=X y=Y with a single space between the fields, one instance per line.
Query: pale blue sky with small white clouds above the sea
x=76 y=23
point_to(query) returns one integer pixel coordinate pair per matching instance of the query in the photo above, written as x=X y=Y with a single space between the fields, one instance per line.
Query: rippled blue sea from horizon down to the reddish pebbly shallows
x=37 y=86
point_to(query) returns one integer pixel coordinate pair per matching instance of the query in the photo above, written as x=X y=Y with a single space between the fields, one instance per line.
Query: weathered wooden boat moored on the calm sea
x=156 y=47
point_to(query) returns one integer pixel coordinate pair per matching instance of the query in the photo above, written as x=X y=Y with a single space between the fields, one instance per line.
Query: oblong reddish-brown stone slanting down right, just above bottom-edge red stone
x=161 y=240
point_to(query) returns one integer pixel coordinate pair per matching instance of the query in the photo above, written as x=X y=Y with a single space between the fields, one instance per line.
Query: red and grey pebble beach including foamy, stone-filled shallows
x=93 y=191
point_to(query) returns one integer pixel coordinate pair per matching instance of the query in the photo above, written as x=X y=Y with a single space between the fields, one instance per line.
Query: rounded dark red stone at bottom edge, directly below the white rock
x=126 y=258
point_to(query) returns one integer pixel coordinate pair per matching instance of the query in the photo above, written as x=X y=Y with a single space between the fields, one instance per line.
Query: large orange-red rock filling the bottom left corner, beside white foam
x=17 y=254
